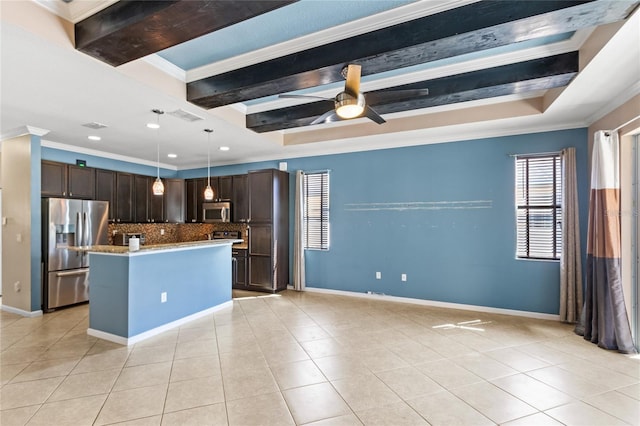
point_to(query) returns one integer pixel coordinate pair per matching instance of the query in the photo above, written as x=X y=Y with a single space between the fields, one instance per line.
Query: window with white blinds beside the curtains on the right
x=539 y=206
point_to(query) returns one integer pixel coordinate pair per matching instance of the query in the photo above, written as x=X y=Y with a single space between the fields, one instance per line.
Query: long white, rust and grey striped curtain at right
x=604 y=316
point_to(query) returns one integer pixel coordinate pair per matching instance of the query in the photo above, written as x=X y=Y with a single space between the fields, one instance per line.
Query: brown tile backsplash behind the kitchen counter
x=159 y=233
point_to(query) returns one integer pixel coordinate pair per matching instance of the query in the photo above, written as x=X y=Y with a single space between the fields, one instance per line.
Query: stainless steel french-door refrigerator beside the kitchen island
x=69 y=223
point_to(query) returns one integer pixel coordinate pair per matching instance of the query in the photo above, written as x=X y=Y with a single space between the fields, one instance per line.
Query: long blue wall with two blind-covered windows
x=461 y=255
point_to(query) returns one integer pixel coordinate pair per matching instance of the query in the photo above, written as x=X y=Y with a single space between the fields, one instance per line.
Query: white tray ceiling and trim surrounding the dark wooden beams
x=47 y=84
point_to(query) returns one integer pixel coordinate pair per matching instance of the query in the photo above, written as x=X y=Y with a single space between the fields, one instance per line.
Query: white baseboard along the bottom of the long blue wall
x=475 y=308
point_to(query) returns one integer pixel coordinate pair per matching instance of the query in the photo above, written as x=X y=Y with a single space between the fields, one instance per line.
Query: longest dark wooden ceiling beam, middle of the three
x=471 y=28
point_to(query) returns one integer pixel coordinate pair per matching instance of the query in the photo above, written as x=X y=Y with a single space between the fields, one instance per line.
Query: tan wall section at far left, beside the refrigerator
x=15 y=170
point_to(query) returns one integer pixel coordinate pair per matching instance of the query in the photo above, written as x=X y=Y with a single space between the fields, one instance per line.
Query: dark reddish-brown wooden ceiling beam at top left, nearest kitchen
x=131 y=29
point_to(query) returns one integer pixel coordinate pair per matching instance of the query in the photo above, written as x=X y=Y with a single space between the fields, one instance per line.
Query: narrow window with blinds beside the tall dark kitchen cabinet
x=316 y=210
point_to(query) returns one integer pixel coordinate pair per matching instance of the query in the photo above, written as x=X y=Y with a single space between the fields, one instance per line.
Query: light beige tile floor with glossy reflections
x=310 y=358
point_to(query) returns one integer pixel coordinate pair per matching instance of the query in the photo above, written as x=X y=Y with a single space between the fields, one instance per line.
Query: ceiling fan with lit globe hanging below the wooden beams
x=350 y=103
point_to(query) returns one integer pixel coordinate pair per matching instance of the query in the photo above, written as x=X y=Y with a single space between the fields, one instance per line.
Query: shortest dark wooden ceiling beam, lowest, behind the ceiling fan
x=522 y=77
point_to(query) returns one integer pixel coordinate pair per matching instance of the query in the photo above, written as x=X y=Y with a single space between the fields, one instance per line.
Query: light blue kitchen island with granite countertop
x=138 y=294
